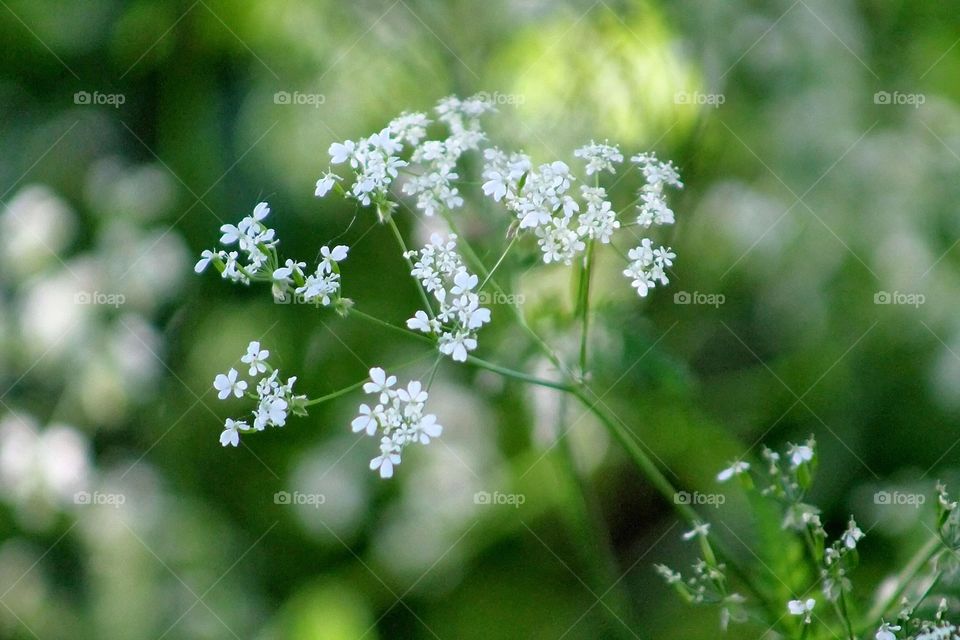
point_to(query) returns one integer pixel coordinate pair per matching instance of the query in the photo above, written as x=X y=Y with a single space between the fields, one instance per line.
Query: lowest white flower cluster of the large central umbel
x=398 y=416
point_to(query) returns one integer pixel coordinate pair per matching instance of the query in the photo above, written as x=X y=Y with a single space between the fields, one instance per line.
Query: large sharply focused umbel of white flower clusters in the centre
x=401 y=160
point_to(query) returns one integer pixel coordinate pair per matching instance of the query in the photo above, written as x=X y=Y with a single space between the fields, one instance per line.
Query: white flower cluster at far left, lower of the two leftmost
x=275 y=400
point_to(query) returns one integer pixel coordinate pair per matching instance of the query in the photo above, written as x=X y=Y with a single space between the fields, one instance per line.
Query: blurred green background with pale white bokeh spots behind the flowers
x=820 y=144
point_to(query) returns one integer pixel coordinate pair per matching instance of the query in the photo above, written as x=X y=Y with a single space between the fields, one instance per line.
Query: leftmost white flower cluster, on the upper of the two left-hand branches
x=253 y=238
